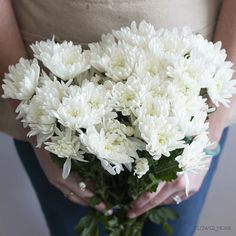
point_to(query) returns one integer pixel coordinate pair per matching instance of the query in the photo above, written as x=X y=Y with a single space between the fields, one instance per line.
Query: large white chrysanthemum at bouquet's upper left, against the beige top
x=65 y=60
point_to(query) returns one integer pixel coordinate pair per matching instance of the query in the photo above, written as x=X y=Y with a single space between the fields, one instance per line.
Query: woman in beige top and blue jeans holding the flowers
x=83 y=22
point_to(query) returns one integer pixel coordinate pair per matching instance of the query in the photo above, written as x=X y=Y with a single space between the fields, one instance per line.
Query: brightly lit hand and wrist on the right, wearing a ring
x=166 y=192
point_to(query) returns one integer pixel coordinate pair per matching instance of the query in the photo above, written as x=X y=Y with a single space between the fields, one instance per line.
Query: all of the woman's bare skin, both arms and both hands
x=10 y=39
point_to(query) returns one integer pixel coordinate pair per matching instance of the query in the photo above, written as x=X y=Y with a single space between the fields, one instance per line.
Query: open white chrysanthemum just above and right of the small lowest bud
x=162 y=136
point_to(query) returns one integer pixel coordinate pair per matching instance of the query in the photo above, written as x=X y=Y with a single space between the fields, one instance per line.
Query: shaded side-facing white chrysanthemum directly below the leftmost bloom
x=39 y=120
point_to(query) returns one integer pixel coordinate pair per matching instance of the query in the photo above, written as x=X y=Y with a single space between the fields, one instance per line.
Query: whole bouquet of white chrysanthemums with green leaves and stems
x=127 y=113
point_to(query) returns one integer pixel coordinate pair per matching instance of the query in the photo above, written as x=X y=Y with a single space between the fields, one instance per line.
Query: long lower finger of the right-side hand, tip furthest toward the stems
x=164 y=193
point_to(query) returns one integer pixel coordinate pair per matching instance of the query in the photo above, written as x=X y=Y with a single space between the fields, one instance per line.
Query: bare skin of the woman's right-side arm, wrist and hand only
x=226 y=33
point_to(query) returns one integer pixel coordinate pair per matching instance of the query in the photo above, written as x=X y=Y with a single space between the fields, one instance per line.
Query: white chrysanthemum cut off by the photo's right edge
x=223 y=86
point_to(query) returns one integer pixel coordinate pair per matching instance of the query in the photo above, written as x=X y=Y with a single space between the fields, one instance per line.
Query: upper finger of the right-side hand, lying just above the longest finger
x=146 y=197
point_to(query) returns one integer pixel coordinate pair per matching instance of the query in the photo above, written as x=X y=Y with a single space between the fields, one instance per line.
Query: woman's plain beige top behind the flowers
x=83 y=21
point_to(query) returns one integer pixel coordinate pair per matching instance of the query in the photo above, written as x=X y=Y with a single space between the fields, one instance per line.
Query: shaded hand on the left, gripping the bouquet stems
x=70 y=186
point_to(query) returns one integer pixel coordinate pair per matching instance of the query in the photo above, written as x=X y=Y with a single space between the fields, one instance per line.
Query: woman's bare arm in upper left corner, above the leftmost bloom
x=11 y=44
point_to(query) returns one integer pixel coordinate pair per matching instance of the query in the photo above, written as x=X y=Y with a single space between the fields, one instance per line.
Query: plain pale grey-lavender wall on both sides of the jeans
x=20 y=213
